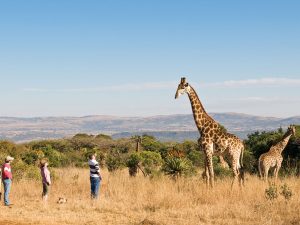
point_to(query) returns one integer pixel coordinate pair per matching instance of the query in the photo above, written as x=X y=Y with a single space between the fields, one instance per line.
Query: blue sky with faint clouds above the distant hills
x=125 y=58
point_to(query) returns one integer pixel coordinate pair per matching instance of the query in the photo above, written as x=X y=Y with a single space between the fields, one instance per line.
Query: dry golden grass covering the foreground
x=140 y=200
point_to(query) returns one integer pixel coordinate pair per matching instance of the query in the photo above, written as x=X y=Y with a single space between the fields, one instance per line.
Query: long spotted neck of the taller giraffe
x=199 y=113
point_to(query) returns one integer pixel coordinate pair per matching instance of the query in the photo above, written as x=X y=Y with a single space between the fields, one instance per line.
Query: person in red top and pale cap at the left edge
x=7 y=178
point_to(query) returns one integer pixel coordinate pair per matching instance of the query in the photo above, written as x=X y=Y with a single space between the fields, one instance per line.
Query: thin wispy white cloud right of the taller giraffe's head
x=268 y=81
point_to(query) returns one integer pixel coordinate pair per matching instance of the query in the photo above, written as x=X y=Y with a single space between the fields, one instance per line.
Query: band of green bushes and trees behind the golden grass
x=143 y=153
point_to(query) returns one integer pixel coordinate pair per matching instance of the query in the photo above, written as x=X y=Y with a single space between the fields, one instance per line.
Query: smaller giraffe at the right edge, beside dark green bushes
x=273 y=157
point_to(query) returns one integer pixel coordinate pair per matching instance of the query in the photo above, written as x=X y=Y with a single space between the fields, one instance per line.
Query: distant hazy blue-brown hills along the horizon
x=165 y=128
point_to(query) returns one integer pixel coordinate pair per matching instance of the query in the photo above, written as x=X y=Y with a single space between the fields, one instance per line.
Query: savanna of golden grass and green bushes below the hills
x=159 y=184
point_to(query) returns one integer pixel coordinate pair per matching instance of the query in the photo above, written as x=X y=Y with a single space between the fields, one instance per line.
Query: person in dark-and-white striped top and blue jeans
x=95 y=176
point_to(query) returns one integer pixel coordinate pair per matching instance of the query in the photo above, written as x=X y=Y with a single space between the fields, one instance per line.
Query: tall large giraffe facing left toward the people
x=213 y=140
